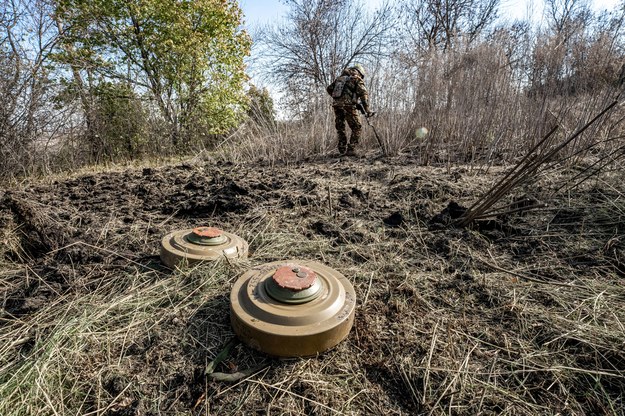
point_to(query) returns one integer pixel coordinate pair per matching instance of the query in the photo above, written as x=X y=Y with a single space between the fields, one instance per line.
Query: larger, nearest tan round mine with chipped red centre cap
x=292 y=309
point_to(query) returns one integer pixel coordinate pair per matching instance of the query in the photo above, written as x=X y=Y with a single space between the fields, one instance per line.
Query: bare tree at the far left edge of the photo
x=25 y=115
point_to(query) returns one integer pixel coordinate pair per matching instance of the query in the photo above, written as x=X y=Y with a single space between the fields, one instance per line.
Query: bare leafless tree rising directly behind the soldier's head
x=318 y=40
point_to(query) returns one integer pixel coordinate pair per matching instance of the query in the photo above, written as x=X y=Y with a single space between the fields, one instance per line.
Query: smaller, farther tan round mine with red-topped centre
x=201 y=244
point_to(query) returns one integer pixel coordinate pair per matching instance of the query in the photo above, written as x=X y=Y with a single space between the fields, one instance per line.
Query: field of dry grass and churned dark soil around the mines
x=520 y=314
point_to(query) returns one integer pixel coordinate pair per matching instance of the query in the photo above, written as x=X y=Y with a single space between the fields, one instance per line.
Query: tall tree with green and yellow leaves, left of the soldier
x=186 y=55
